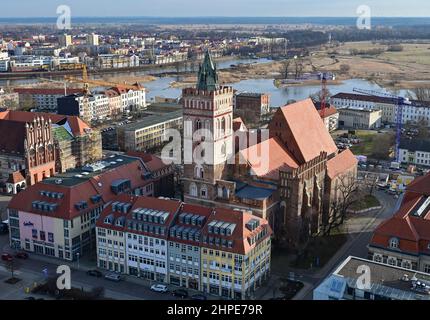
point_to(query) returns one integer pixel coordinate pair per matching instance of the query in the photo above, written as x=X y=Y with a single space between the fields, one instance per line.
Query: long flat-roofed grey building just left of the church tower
x=149 y=132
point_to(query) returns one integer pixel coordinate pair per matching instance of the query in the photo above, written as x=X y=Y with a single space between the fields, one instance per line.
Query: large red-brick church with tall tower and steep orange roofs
x=302 y=165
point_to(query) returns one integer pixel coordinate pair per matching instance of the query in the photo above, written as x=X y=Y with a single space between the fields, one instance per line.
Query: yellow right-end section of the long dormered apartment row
x=235 y=254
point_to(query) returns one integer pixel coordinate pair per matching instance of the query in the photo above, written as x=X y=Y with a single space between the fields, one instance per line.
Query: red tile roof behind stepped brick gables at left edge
x=77 y=126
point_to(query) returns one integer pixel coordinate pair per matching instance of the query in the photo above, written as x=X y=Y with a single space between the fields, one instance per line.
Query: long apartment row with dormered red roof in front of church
x=218 y=251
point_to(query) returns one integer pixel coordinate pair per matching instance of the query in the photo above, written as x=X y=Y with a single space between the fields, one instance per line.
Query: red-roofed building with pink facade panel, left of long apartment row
x=57 y=216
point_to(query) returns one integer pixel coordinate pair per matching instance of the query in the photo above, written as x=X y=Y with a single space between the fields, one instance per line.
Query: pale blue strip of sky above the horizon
x=232 y=8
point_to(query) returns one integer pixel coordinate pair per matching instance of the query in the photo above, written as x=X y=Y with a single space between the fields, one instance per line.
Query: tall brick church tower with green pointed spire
x=208 y=134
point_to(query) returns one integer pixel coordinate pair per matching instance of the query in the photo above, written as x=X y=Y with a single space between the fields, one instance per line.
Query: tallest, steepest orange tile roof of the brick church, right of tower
x=302 y=130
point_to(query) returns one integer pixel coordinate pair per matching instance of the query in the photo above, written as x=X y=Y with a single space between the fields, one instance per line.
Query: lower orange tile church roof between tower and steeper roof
x=267 y=165
